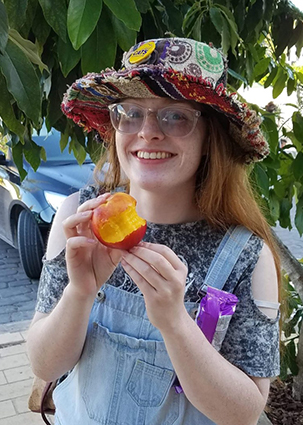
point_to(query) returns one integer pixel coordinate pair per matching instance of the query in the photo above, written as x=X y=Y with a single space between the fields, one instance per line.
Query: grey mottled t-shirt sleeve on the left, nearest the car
x=52 y=282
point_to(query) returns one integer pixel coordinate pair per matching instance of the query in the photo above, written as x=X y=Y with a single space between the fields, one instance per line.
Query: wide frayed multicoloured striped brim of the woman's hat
x=87 y=99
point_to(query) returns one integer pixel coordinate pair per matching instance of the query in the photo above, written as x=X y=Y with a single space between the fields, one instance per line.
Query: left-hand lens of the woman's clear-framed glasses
x=127 y=118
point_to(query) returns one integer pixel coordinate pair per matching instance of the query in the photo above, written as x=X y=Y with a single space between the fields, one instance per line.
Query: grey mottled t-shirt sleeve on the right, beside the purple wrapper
x=252 y=339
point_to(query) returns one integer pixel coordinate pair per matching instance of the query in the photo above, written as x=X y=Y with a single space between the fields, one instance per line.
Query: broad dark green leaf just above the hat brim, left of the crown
x=99 y=51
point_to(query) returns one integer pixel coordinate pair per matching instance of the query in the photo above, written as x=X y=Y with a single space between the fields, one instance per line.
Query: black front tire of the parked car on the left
x=30 y=245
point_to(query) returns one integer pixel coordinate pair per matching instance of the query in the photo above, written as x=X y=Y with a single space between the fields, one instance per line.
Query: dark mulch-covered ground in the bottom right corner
x=281 y=408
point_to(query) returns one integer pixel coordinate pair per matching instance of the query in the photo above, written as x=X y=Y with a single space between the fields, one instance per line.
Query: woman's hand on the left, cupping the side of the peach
x=89 y=263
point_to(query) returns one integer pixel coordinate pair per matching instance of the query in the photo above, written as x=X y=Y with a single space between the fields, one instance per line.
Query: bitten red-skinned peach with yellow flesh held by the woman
x=116 y=223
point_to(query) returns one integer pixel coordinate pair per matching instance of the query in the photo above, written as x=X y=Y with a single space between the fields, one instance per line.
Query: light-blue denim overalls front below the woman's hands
x=124 y=376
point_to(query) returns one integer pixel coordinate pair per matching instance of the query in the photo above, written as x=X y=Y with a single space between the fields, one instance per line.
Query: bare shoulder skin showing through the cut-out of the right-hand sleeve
x=265 y=281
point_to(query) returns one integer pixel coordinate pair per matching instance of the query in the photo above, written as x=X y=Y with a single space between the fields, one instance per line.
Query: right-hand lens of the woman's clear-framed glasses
x=177 y=122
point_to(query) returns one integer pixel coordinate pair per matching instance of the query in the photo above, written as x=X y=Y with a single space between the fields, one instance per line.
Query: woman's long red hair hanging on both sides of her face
x=224 y=192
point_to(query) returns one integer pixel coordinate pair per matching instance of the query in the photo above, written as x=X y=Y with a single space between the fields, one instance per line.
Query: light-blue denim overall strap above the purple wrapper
x=226 y=257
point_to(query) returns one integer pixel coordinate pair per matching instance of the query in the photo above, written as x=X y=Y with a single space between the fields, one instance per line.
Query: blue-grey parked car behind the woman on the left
x=28 y=207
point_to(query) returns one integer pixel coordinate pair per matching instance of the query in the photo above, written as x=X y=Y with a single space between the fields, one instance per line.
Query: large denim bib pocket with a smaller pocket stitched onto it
x=124 y=380
